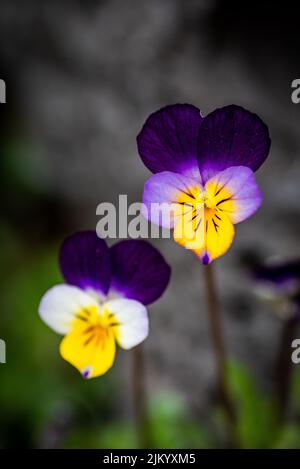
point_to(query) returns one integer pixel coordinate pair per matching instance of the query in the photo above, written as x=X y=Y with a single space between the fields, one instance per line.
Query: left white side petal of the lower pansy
x=61 y=303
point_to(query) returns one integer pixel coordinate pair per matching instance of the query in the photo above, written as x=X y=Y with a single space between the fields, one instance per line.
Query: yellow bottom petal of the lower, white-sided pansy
x=90 y=348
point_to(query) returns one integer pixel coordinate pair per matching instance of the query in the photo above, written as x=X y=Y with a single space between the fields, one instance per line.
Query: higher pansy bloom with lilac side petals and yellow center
x=204 y=168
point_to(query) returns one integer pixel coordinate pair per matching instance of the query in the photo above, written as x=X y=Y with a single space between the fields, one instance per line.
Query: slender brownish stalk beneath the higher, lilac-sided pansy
x=218 y=341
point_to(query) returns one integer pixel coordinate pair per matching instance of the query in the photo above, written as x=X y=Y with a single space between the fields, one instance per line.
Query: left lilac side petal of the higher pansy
x=161 y=191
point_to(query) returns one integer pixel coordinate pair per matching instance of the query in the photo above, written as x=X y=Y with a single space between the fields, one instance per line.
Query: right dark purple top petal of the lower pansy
x=139 y=271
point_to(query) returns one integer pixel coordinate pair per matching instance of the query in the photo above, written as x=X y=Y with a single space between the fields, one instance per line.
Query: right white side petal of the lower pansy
x=132 y=318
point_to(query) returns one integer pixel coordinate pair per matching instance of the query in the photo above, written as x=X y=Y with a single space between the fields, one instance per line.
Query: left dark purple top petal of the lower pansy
x=85 y=262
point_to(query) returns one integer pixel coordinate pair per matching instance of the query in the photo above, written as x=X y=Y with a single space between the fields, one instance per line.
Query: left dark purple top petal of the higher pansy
x=168 y=140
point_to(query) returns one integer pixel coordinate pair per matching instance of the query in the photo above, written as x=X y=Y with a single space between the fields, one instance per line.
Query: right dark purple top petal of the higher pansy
x=231 y=136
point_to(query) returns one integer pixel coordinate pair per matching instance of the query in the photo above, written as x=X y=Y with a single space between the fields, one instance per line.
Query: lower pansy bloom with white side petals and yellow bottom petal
x=103 y=302
